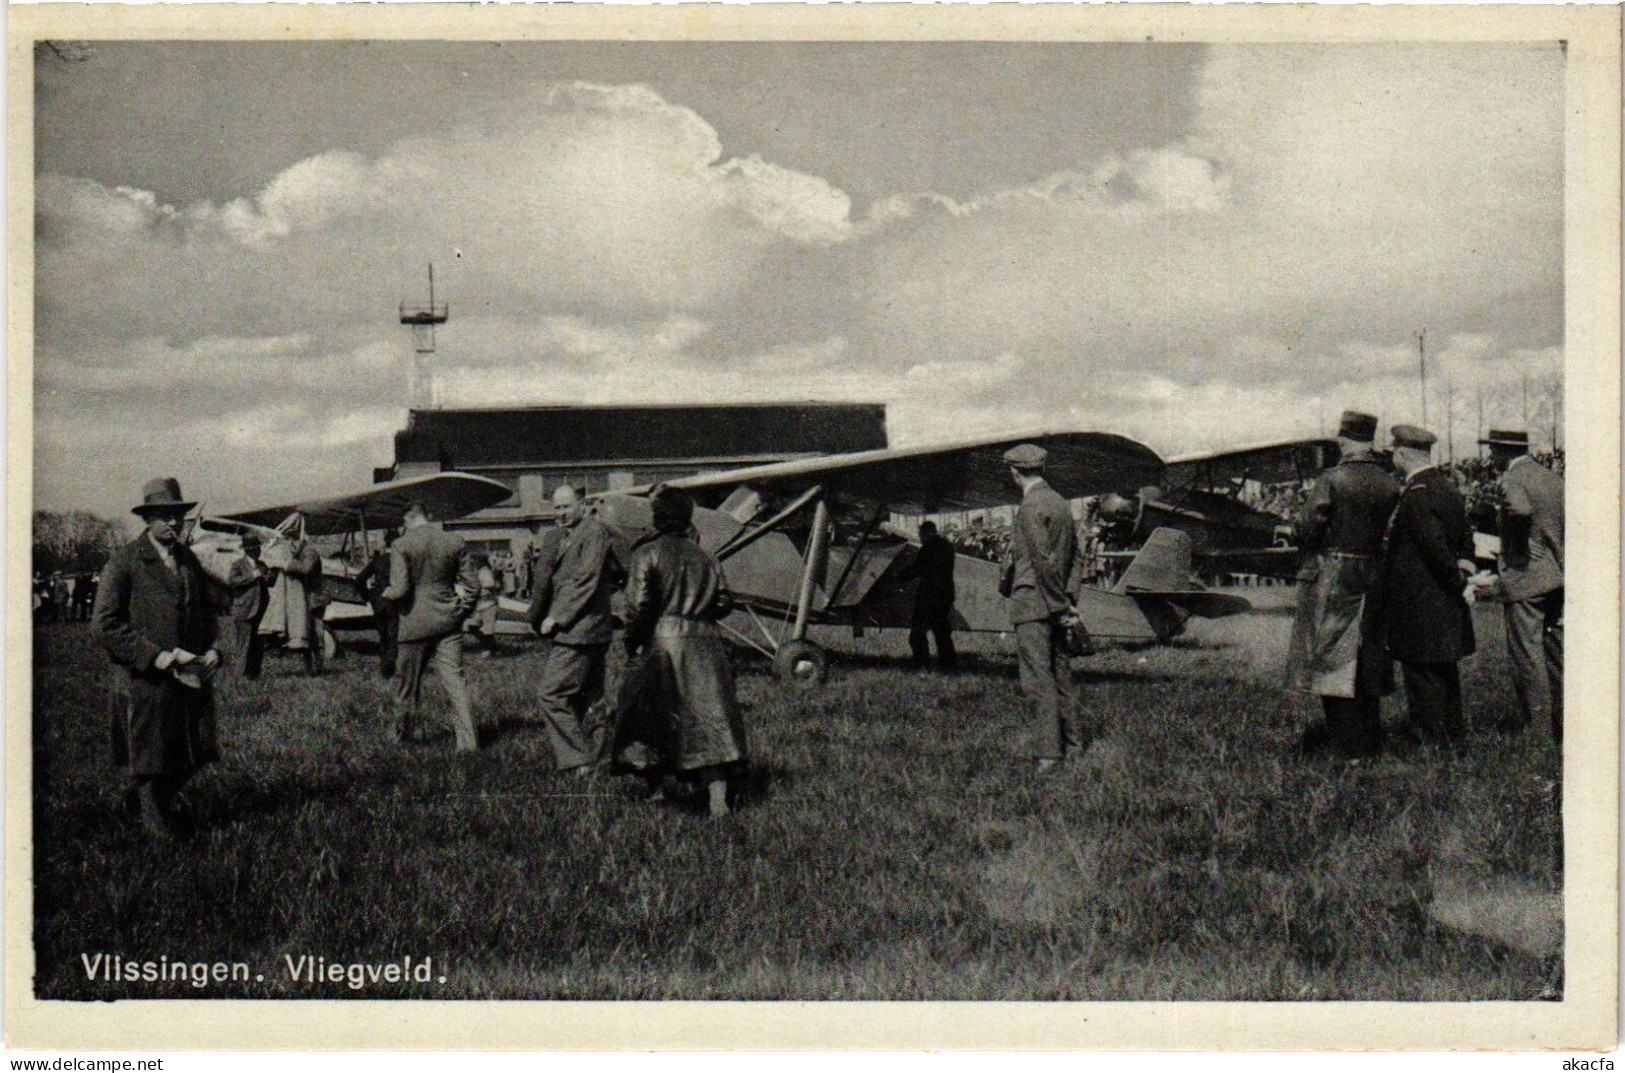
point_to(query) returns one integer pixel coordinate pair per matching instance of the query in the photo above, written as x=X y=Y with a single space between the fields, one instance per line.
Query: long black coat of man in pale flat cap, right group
x=1429 y=620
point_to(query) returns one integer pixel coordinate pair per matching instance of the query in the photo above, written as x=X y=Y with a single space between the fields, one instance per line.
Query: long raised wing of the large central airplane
x=963 y=476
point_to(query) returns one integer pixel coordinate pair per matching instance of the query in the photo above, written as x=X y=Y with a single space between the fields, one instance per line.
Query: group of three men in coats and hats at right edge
x=1387 y=576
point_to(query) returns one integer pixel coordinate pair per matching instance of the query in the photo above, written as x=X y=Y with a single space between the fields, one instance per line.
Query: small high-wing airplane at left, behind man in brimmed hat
x=353 y=518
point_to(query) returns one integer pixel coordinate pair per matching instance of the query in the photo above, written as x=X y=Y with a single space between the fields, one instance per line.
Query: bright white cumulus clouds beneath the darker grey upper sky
x=599 y=245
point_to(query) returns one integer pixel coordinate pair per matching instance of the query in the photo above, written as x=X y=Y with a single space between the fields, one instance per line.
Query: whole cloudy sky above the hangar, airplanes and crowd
x=1195 y=246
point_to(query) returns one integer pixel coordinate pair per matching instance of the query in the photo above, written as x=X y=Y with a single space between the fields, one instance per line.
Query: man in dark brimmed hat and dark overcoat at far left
x=155 y=617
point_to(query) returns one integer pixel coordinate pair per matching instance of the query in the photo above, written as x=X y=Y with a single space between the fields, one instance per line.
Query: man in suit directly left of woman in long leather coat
x=576 y=573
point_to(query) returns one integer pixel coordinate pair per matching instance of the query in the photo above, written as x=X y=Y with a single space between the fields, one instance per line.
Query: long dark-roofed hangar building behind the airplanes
x=535 y=450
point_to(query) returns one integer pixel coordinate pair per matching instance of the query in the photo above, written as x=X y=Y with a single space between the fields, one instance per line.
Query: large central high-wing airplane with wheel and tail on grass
x=808 y=542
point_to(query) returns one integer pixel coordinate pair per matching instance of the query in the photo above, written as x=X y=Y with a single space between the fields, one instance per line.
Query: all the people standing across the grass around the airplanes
x=1387 y=576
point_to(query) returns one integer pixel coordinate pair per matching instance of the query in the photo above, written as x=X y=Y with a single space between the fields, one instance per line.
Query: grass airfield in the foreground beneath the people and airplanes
x=893 y=845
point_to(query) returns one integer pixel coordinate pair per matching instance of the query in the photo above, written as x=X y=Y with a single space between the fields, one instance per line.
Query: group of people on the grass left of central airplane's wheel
x=675 y=718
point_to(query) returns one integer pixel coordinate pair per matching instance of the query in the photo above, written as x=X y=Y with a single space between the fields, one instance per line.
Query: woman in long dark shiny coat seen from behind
x=677 y=711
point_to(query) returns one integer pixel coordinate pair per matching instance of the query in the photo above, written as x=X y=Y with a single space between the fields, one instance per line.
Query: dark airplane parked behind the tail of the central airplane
x=1216 y=498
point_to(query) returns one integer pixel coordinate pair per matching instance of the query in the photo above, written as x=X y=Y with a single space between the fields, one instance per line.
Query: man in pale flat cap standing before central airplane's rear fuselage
x=1041 y=583
